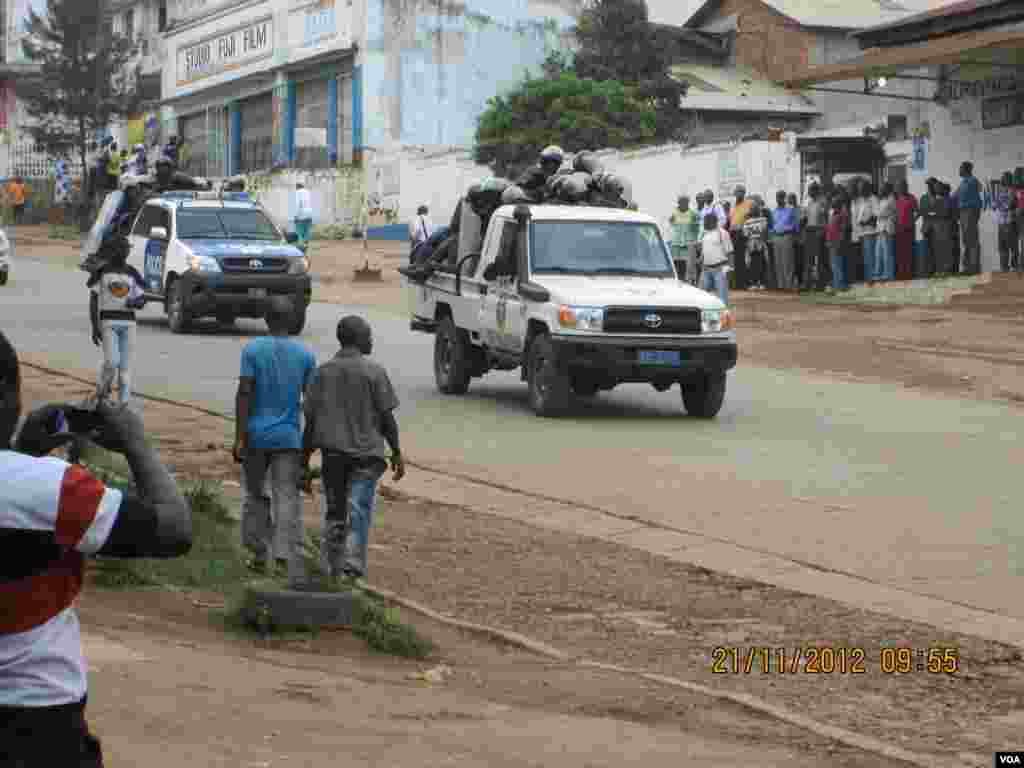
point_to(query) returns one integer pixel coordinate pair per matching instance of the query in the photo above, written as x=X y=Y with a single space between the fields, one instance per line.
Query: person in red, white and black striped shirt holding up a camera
x=53 y=517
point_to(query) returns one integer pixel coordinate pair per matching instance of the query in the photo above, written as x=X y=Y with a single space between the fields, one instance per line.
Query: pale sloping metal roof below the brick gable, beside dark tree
x=734 y=90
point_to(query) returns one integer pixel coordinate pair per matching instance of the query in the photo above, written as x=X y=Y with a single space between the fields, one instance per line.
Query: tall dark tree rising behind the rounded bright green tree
x=618 y=42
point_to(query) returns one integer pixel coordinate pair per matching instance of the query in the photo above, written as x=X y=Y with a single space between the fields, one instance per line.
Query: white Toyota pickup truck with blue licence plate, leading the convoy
x=582 y=300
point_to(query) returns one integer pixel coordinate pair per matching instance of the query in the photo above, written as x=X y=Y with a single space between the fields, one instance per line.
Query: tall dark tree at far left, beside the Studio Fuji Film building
x=84 y=78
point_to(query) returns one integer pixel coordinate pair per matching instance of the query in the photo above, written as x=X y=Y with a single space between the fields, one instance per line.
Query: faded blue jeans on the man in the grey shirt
x=351 y=487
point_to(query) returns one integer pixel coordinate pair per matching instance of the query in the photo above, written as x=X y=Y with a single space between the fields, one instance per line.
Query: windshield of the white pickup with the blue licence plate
x=599 y=248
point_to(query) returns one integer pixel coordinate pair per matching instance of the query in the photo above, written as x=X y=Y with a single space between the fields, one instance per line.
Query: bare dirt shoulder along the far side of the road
x=942 y=350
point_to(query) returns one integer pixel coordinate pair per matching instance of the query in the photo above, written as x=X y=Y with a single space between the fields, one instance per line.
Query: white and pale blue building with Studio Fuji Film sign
x=338 y=93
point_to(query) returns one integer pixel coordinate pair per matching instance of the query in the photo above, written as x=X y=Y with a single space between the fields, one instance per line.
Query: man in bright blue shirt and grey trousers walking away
x=275 y=373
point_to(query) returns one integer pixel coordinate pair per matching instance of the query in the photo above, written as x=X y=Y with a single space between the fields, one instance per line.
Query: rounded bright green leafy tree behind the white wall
x=562 y=109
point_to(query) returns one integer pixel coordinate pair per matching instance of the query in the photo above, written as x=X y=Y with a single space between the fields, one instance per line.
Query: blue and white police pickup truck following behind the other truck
x=217 y=255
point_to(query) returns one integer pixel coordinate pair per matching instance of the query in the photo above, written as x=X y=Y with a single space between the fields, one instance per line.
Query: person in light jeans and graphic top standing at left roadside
x=116 y=294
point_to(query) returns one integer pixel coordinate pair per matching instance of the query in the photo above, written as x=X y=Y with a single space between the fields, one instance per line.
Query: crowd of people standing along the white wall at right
x=845 y=235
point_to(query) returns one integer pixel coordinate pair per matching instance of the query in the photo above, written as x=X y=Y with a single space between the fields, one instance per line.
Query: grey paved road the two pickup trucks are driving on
x=892 y=486
